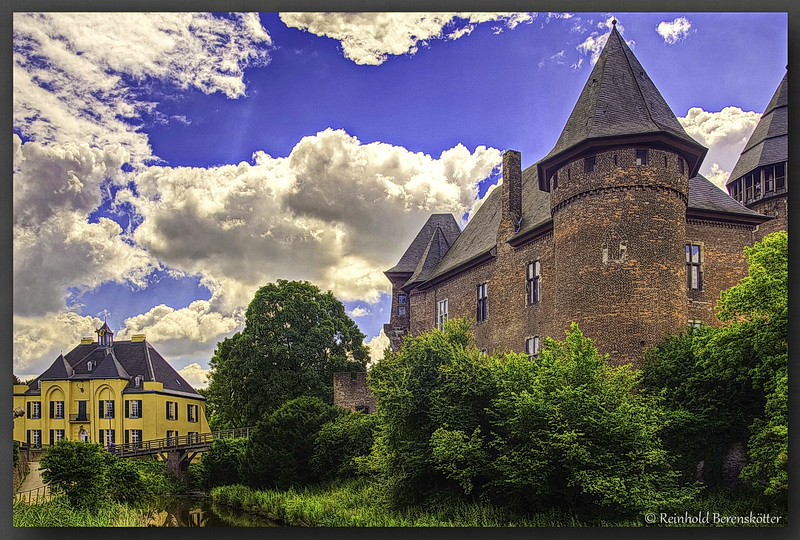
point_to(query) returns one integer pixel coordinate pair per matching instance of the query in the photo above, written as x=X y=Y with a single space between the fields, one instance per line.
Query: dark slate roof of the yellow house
x=124 y=360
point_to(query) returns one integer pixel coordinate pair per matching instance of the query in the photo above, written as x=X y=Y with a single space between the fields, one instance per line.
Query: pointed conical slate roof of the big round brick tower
x=619 y=102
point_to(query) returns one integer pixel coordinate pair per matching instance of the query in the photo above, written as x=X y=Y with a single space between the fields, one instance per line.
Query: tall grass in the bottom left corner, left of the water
x=58 y=513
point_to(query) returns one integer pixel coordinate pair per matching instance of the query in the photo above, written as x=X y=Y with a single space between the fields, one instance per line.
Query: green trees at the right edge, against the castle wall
x=729 y=383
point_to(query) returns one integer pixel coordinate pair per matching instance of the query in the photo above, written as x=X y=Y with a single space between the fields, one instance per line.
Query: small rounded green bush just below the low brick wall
x=340 y=443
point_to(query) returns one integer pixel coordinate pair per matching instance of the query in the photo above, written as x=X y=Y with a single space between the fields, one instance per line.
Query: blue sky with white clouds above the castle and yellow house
x=167 y=165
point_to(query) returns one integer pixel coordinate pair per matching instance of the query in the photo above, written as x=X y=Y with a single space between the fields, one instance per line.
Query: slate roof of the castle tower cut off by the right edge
x=769 y=142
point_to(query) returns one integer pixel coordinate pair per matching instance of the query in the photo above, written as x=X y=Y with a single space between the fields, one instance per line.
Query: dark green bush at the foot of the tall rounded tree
x=280 y=447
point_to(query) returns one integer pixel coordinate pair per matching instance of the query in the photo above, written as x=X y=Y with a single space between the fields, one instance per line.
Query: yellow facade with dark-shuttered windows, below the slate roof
x=152 y=422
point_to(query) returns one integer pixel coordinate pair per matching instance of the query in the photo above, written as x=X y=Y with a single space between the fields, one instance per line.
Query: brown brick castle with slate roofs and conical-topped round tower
x=614 y=229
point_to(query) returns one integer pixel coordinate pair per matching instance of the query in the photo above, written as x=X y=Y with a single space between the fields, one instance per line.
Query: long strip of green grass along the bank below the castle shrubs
x=357 y=503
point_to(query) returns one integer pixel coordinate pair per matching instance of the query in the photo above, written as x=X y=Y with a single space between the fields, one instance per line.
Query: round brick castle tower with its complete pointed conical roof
x=618 y=182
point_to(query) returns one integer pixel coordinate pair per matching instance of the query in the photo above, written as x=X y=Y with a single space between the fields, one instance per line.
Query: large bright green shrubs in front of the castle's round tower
x=563 y=430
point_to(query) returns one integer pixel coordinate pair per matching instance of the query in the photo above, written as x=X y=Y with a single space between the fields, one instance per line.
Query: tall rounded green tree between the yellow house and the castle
x=295 y=338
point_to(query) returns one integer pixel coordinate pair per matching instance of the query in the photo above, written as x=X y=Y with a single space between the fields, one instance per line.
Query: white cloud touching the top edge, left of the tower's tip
x=369 y=38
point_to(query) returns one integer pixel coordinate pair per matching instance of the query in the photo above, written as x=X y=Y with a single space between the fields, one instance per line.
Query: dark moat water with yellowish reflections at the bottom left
x=201 y=512
